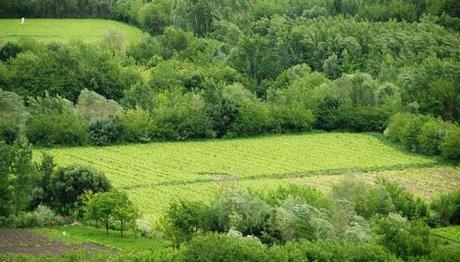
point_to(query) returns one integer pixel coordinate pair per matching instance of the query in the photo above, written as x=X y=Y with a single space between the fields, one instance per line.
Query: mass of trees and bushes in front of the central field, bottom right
x=357 y=221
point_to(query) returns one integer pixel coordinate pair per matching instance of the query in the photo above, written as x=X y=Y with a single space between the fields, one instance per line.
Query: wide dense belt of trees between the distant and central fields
x=270 y=74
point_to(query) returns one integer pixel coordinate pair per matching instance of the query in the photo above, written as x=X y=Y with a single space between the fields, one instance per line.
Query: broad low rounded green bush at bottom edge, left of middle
x=214 y=247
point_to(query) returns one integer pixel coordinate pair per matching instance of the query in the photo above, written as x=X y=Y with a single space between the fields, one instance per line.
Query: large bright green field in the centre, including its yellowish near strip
x=157 y=173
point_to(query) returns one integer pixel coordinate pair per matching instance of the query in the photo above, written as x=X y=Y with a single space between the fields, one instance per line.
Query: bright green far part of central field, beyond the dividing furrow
x=131 y=166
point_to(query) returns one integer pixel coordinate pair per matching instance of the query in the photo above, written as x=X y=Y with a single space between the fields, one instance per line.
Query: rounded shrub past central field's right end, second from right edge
x=430 y=137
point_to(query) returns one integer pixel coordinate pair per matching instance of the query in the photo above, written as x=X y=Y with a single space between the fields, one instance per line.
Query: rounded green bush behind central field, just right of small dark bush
x=136 y=126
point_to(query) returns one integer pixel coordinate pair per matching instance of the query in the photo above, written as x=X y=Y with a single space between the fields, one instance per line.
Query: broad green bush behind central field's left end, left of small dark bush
x=60 y=129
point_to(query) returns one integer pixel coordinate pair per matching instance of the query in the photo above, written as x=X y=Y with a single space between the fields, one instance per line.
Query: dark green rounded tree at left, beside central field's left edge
x=68 y=183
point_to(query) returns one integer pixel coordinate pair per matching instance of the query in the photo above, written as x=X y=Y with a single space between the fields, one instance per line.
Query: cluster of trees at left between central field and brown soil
x=33 y=192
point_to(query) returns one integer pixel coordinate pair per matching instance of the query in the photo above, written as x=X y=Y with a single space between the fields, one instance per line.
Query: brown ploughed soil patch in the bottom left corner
x=27 y=242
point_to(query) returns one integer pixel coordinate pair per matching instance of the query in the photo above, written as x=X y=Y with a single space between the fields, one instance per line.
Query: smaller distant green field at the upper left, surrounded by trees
x=87 y=30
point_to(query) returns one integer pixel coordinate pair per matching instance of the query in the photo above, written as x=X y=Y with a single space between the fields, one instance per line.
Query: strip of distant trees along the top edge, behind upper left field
x=203 y=17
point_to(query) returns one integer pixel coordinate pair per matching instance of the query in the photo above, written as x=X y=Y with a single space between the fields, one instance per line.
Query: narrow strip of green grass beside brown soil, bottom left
x=82 y=234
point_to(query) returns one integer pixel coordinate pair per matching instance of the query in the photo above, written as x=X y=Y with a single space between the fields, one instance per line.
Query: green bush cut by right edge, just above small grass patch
x=448 y=208
